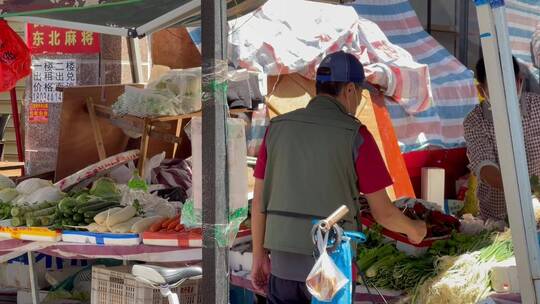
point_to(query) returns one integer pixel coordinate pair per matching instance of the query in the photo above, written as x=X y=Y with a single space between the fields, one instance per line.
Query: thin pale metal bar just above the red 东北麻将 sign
x=71 y=25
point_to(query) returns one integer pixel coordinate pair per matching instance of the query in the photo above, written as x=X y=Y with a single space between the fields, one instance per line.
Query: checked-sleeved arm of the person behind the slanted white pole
x=480 y=150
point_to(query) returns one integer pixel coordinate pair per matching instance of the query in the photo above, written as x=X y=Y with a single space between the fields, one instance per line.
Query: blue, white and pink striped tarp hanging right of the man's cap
x=454 y=93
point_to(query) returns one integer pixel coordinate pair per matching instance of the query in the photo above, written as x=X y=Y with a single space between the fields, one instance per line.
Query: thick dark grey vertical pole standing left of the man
x=214 y=152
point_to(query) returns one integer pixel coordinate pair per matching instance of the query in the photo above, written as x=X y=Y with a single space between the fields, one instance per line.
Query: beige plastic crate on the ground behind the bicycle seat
x=116 y=285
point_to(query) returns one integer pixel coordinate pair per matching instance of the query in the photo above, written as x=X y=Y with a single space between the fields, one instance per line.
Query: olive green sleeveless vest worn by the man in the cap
x=310 y=172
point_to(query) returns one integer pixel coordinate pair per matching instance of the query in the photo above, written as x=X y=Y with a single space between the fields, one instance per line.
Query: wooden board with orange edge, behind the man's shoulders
x=292 y=91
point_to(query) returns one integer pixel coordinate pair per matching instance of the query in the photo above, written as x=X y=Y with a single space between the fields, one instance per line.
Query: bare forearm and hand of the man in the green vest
x=391 y=218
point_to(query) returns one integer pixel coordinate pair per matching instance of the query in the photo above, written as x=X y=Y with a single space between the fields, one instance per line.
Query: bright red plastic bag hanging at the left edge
x=14 y=57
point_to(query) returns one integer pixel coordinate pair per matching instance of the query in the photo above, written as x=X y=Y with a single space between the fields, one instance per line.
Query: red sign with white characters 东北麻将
x=53 y=40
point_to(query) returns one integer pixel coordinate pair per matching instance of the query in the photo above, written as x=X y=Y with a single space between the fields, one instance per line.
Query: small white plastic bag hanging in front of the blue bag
x=325 y=279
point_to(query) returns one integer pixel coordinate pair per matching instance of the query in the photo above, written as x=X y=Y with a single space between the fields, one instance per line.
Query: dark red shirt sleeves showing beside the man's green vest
x=369 y=159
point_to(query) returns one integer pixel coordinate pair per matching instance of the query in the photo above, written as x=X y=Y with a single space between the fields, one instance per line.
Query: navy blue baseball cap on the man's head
x=342 y=67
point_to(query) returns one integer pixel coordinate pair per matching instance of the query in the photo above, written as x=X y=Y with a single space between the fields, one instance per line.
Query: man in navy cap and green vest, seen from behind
x=312 y=161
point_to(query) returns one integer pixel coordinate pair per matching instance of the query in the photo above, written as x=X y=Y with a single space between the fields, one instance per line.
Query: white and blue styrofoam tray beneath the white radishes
x=101 y=238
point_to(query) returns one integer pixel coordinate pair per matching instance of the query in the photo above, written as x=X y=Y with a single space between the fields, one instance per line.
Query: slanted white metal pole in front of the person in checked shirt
x=510 y=144
